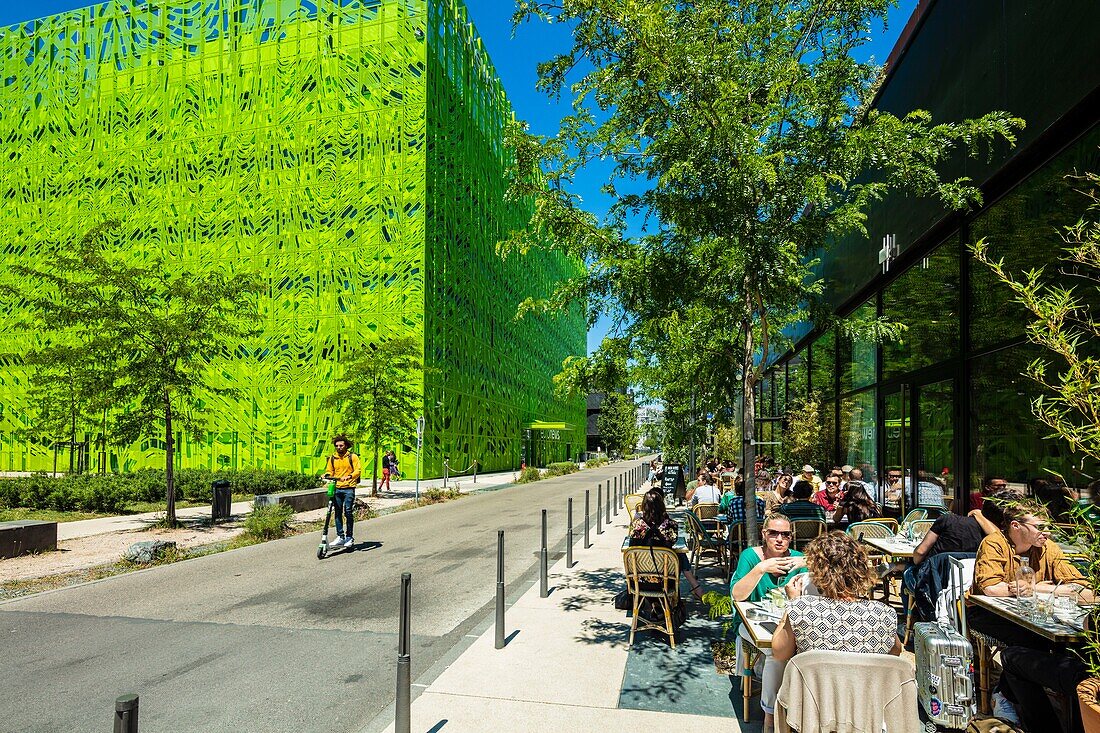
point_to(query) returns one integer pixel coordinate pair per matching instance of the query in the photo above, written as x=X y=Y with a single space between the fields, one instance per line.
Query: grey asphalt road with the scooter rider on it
x=269 y=639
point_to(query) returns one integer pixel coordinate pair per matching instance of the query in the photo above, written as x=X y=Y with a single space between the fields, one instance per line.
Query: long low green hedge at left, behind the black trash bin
x=109 y=494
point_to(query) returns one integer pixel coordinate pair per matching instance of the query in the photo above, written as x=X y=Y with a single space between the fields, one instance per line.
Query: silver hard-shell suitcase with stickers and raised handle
x=945 y=669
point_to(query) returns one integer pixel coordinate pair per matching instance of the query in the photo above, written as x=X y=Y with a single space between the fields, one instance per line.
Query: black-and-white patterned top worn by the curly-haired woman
x=828 y=625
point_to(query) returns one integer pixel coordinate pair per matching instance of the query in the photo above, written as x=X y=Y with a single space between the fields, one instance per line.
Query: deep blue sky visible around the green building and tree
x=515 y=57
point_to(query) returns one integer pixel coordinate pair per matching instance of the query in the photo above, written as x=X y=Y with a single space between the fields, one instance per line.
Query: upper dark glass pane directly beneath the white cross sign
x=927 y=300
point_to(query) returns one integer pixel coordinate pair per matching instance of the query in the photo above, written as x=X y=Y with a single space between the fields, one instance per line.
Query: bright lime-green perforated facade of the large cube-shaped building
x=350 y=152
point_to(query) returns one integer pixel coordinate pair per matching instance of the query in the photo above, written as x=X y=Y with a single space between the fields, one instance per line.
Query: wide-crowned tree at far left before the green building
x=148 y=336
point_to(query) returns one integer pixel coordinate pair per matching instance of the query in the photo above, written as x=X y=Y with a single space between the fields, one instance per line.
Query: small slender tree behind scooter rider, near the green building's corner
x=381 y=398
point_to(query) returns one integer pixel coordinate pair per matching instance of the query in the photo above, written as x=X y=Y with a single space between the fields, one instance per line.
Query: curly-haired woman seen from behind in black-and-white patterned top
x=841 y=619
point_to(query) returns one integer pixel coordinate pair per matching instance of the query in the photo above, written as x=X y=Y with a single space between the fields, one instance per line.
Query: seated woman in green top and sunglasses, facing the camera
x=760 y=571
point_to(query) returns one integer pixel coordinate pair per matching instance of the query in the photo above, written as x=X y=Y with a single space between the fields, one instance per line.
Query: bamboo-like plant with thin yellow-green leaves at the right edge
x=1064 y=324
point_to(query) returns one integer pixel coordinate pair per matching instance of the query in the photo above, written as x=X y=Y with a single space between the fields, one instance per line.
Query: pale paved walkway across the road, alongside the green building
x=402 y=491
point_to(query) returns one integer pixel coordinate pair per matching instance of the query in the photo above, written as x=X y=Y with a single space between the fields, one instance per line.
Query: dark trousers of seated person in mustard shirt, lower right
x=1027 y=672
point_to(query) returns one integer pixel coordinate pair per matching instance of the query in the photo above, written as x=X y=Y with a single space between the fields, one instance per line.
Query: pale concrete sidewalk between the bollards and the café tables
x=564 y=668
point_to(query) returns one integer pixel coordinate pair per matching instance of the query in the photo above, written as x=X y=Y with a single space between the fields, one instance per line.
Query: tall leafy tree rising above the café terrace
x=742 y=137
